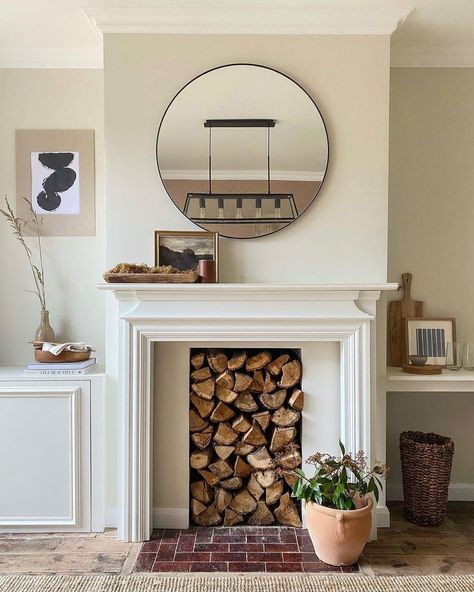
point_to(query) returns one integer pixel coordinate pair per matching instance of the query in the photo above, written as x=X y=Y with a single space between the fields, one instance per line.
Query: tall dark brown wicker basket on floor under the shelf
x=426 y=471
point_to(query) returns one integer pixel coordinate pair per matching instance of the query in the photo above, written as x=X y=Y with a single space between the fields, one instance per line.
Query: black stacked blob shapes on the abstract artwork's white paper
x=60 y=180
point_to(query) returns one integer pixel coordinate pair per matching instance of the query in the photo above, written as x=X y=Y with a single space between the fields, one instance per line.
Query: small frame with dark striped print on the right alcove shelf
x=429 y=336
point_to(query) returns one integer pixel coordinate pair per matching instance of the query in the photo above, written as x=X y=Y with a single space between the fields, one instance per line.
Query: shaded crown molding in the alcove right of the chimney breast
x=432 y=57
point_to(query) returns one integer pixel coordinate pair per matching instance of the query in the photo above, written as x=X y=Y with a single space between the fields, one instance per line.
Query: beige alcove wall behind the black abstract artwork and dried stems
x=51 y=99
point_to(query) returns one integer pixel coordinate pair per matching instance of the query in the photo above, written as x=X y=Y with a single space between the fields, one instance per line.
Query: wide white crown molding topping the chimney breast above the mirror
x=327 y=19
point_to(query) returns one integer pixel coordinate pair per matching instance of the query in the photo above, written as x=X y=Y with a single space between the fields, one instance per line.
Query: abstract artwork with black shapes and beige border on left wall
x=55 y=171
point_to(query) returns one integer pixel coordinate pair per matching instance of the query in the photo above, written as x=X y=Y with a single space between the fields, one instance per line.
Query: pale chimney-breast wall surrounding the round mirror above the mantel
x=349 y=79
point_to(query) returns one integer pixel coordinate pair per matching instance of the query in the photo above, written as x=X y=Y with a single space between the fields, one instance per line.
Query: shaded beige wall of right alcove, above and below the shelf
x=431 y=234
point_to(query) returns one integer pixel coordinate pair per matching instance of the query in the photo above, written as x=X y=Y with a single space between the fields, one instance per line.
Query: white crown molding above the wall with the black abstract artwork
x=87 y=58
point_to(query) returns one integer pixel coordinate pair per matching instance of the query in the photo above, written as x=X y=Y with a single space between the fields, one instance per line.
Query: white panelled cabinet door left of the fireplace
x=45 y=456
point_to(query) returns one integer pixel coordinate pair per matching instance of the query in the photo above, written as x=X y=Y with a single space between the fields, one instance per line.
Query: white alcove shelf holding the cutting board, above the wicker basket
x=449 y=381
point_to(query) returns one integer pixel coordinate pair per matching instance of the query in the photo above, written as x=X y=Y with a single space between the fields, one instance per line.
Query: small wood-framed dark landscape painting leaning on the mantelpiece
x=184 y=249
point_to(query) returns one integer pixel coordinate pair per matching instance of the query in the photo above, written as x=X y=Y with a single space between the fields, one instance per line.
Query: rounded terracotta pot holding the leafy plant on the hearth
x=339 y=536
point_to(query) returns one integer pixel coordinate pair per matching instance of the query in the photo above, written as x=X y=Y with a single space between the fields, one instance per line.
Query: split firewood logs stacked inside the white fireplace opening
x=244 y=420
